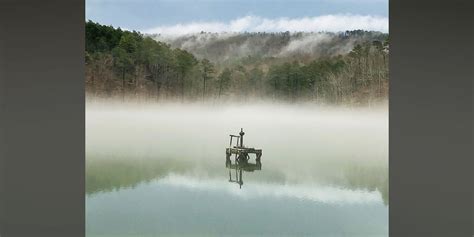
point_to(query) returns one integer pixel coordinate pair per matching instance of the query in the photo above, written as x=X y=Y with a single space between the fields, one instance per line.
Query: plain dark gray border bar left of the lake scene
x=43 y=118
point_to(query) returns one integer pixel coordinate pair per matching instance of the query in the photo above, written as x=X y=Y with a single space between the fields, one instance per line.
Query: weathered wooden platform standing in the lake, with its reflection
x=241 y=158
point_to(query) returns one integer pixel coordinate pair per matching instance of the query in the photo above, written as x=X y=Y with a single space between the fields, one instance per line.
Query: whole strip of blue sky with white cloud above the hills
x=177 y=17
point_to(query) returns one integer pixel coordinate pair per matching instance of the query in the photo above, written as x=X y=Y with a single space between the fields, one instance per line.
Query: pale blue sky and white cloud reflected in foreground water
x=188 y=205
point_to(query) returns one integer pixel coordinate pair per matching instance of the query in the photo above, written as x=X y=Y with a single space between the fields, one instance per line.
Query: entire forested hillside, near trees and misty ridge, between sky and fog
x=348 y=67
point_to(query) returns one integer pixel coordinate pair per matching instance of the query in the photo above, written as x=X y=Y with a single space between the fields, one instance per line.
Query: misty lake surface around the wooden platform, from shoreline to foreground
x=160 y=171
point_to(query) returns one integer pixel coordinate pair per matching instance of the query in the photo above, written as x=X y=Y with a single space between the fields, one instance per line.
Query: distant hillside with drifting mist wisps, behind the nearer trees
x=219 y=47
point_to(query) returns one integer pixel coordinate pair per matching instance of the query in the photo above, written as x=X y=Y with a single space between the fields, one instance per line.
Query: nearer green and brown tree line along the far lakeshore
x=127 y=64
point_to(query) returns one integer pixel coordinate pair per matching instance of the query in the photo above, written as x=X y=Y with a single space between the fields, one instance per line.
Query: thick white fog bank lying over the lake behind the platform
x=302 y=143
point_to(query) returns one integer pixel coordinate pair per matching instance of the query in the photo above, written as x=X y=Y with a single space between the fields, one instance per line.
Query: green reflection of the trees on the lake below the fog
x=113 y=174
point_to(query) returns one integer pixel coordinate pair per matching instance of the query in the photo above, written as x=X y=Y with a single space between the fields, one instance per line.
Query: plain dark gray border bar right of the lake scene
x=431 y=118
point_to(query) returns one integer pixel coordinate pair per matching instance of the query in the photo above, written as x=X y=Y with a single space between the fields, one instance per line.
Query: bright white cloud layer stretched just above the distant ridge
x=329 y=23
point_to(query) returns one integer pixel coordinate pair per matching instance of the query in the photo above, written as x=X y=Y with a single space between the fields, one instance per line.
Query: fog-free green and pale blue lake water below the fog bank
x=154 y=197
